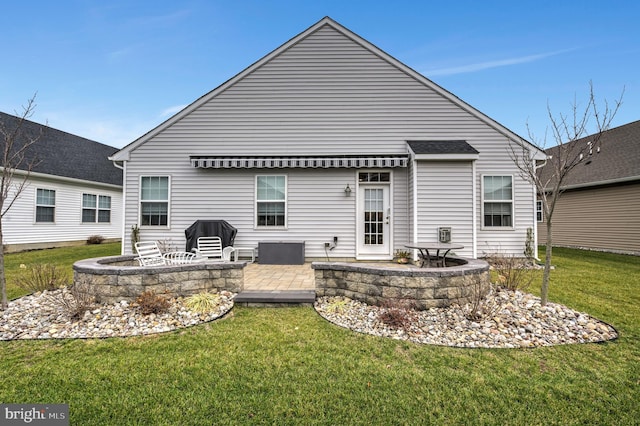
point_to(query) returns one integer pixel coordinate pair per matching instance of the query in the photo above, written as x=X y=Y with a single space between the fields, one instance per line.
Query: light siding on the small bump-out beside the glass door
x=444 y=200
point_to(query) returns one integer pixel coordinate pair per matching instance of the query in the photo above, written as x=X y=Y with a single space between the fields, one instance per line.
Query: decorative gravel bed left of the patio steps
x=38 y=316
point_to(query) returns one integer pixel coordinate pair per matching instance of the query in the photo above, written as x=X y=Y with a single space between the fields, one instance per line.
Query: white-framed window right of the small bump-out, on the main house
x=497 y=198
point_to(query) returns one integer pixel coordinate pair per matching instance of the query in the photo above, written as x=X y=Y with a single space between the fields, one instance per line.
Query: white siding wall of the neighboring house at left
x=20 y=227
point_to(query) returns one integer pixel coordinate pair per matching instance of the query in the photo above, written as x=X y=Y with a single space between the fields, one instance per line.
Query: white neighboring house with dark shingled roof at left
x=73 y=192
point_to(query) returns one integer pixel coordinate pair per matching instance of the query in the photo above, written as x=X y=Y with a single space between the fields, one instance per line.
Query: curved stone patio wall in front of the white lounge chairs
x=115 y=278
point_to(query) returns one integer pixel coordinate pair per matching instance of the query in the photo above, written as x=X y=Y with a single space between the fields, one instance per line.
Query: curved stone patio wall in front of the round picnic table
x=425 y=287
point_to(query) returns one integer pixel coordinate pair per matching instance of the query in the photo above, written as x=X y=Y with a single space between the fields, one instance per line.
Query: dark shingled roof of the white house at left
x=62 y=154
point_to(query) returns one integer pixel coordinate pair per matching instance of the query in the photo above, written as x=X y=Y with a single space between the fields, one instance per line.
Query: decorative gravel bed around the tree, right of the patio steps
x=511 y=320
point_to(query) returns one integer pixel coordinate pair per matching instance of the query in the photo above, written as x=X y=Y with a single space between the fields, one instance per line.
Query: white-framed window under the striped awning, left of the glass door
x=271 y=201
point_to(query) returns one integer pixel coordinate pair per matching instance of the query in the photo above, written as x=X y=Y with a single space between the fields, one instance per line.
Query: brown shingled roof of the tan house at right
x=615 y=159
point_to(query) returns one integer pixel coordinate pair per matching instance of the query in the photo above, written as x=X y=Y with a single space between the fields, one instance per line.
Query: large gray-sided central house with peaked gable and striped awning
x=329 y=139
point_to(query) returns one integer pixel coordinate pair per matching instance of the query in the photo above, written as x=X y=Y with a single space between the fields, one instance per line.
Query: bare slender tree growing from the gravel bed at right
x=576 y=135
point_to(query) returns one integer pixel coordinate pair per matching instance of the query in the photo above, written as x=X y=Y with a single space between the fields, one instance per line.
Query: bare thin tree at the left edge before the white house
x=16 y=167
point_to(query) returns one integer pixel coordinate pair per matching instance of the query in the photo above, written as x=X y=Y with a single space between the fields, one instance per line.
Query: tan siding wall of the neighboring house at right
x=604 y=218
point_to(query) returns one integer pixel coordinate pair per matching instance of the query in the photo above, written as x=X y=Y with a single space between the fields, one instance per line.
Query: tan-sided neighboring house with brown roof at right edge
x=600 y=206
